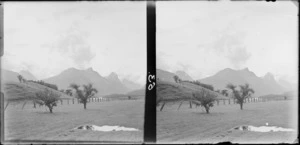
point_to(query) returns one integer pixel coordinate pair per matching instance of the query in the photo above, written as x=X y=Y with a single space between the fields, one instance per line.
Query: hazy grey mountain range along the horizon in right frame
x=261 y=85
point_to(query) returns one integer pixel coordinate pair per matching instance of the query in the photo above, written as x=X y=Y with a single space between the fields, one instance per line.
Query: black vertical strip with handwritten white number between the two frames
x=150 y=104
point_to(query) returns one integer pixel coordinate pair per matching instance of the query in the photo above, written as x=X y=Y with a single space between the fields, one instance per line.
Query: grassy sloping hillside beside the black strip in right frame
x=169 y=91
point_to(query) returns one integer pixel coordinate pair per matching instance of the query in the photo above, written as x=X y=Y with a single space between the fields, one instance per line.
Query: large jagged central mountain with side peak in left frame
x=105 y=85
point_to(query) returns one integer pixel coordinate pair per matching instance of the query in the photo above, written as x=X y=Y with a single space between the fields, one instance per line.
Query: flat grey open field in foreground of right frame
x=188 y=125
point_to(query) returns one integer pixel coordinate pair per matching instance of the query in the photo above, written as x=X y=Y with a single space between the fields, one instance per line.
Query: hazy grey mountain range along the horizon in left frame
x=104 y=84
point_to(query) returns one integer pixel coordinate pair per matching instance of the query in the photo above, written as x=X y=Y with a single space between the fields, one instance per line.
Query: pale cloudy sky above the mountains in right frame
x=202 y=37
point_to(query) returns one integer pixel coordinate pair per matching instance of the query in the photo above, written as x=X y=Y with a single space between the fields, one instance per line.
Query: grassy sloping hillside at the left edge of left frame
x=14 y=91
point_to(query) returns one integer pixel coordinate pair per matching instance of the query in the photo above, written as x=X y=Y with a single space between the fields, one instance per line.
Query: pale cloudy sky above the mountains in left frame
x=46 y=38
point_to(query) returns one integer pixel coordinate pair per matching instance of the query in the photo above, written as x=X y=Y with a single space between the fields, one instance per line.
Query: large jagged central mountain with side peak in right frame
x=261 y=85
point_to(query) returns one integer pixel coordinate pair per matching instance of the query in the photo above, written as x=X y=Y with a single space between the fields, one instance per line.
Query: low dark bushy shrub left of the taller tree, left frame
x=47 y=98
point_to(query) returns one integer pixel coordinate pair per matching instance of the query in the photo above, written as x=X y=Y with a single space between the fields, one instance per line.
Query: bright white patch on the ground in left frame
x=105 y=128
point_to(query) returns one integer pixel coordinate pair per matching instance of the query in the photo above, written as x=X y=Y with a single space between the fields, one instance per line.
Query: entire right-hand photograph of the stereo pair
x=227 y=71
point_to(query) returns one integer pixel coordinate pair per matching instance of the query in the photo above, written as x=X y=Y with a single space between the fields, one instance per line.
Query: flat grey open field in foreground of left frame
x=39 y=124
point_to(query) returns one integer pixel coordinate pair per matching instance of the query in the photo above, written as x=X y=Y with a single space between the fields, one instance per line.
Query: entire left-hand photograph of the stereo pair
x=74 y=71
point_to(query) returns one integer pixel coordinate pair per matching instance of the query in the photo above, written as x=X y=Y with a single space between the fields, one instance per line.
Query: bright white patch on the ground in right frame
x=263 y=128
